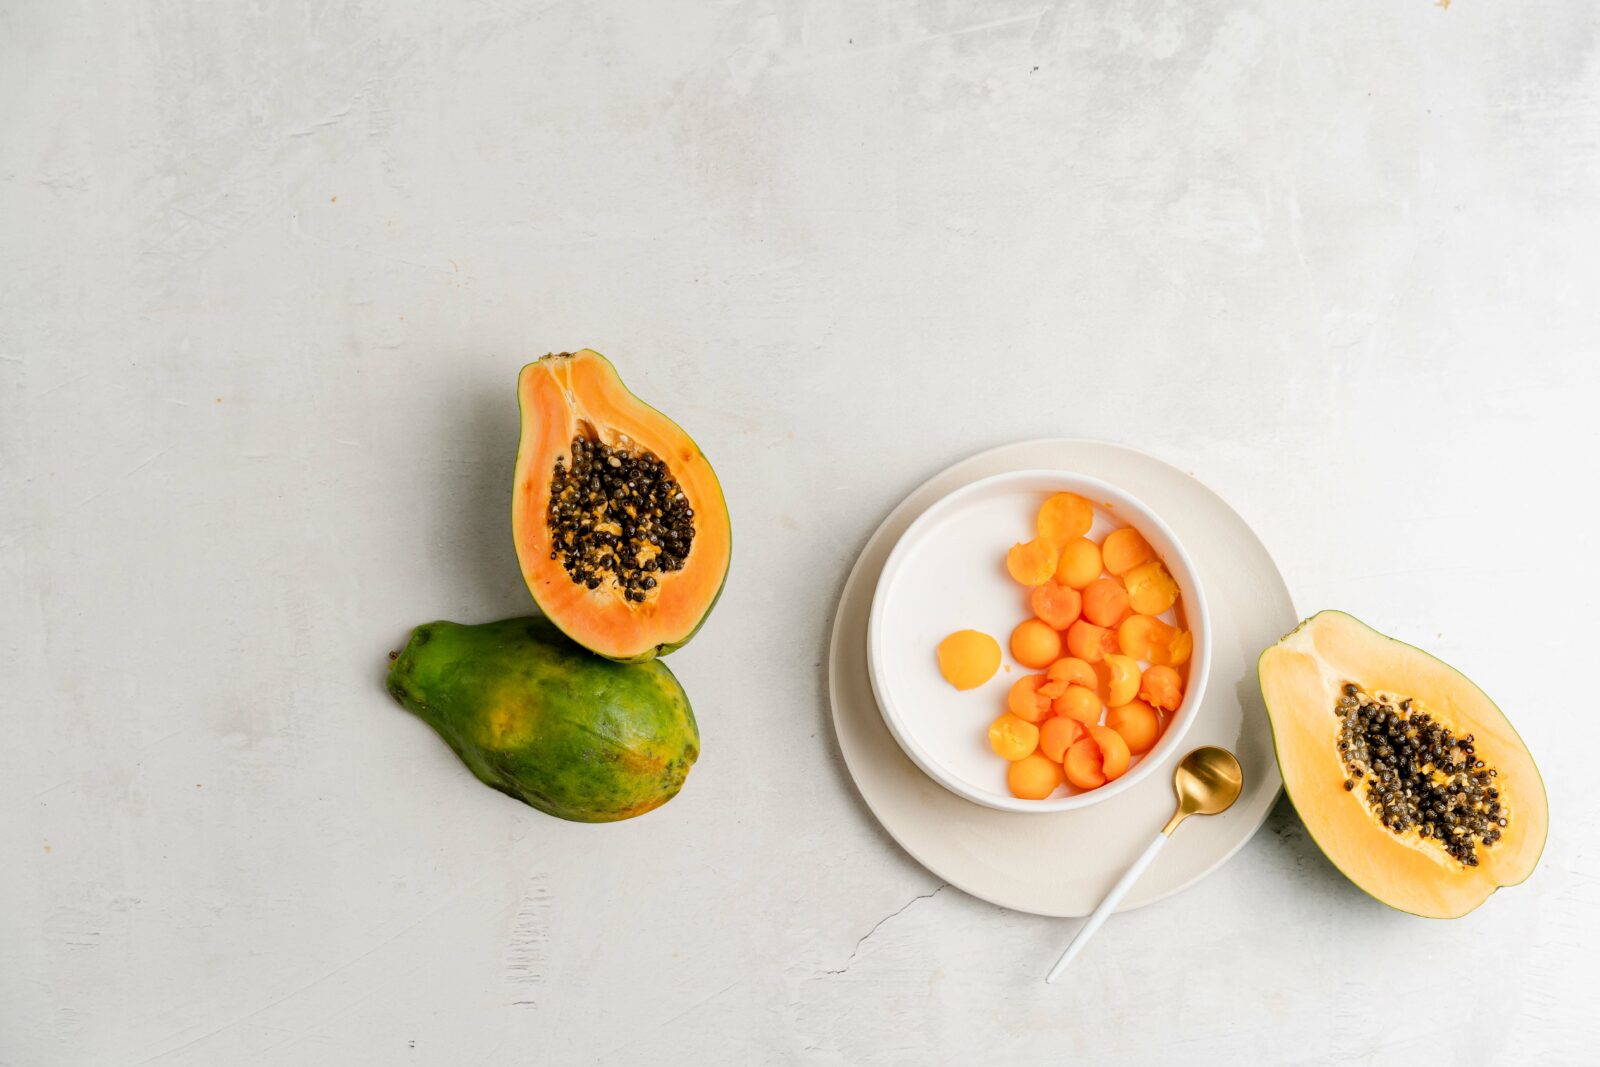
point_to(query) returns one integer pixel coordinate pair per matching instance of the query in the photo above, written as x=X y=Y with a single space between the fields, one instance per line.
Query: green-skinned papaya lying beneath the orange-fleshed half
x=540 y=719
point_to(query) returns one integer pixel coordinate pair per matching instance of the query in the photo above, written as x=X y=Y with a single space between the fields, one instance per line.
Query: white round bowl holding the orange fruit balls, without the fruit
x=948 y=573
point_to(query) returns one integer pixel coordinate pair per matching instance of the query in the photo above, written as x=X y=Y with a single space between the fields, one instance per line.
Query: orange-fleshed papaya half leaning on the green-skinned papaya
x=620 y=522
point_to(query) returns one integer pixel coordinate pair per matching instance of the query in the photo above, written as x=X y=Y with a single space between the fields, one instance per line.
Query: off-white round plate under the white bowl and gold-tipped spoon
x=1063 y=863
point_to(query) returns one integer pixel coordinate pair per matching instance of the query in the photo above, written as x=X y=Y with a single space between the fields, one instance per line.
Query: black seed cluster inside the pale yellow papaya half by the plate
x=1418 y=775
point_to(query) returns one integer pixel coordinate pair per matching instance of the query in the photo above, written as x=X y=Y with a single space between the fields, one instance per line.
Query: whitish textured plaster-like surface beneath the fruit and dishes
x=270 y=271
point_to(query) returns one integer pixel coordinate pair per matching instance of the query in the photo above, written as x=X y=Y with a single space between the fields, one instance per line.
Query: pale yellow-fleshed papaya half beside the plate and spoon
x=1404 y=772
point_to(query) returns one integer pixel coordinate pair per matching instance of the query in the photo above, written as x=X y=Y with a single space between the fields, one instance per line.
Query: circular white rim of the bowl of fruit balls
x=1127 y=510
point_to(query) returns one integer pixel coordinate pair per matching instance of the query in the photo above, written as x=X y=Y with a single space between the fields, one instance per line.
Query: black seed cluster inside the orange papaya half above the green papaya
x=618 y=518
